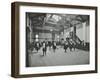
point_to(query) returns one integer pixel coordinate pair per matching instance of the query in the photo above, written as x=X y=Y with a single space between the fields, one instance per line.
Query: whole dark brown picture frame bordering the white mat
x=15 y=39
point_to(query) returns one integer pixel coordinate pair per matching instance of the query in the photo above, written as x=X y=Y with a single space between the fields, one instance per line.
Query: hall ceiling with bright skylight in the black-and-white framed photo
x=55 y=22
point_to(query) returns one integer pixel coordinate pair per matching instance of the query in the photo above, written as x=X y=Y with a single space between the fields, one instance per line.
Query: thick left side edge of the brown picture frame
x=14 y=37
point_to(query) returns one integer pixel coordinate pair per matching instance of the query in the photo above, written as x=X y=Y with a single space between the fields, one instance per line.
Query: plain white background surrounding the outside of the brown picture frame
x=5 y=40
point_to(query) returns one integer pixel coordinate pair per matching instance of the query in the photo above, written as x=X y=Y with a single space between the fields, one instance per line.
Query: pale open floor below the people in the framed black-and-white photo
x=58 y=58
